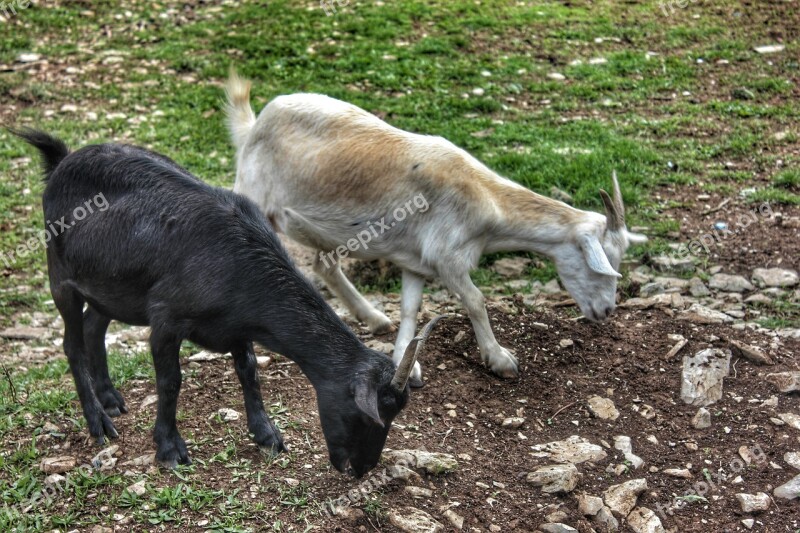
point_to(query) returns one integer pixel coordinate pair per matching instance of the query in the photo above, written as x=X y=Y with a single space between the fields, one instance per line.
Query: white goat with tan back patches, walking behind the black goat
x=326 y=173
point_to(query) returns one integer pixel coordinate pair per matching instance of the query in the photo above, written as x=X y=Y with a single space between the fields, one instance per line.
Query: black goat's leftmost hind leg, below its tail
x=70 y=305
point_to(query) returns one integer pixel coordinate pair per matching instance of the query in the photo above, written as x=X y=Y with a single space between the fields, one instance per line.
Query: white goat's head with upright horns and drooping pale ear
x=588 y=266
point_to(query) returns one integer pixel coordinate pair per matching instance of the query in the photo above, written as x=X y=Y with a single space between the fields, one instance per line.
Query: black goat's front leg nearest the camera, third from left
x=170 y=446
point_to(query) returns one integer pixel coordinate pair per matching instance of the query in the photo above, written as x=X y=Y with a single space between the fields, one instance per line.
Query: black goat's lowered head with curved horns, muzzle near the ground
x=356 y=426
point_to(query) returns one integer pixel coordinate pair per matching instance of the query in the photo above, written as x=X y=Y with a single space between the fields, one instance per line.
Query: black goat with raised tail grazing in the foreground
x=200 y=263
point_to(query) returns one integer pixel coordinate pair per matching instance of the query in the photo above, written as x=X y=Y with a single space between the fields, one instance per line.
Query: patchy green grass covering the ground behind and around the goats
x=150 y=73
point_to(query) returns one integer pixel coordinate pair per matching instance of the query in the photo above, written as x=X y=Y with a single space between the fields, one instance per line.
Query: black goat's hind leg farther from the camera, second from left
x=94 y=336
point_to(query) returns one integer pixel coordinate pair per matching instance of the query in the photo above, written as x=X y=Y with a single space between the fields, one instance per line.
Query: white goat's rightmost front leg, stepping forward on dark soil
x=500 y=360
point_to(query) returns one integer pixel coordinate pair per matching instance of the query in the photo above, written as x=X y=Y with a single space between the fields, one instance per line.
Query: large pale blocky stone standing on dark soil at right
x=702 y=377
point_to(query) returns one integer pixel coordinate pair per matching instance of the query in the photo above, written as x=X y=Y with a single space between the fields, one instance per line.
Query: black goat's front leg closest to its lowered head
x=264 y=432
